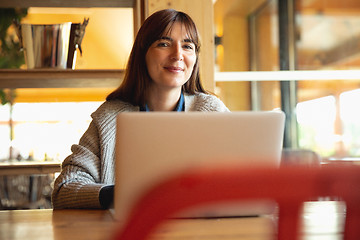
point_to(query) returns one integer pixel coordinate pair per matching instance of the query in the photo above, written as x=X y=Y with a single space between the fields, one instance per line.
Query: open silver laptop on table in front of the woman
x=151 y=146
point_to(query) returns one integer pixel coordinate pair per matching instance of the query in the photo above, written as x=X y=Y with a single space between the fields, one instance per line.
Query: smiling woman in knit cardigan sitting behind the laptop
x=162 y=75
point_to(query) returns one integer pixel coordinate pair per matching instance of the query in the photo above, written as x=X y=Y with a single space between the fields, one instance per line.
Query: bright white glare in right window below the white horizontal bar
x=330 y=125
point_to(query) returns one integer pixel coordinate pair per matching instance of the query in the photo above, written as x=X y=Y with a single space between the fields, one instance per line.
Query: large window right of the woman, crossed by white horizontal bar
x=308 y=38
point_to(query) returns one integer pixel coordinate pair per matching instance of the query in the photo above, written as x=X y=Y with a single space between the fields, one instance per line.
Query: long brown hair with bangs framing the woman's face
x=136 y=81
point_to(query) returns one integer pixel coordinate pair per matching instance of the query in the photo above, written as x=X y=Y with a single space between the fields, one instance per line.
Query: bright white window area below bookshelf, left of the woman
x=44 y=131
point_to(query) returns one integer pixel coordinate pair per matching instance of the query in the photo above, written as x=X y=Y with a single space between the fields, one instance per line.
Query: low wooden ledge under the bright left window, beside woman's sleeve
x=29 y=167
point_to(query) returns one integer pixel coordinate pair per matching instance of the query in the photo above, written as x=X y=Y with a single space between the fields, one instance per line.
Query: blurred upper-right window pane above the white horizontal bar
x=339 y=29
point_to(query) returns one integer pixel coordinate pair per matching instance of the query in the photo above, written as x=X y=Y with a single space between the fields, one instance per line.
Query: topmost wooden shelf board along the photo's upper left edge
x=67 y=3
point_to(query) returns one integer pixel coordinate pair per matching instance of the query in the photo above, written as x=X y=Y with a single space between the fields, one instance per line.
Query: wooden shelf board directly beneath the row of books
x=50 y=78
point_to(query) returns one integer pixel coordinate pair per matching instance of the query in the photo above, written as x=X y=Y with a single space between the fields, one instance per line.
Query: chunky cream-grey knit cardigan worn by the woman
x=91 y=164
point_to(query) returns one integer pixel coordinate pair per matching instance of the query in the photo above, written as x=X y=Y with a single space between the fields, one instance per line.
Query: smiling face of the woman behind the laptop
x=170 y=60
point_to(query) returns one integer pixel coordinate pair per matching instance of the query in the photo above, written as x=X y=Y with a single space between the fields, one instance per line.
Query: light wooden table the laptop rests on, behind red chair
x=321 y=221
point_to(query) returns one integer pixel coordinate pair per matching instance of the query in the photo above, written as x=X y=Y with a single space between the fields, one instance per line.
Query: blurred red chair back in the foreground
x=288 y=186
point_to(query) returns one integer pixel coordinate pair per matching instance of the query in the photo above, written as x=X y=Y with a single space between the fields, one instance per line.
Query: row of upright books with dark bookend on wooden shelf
x=50 y=46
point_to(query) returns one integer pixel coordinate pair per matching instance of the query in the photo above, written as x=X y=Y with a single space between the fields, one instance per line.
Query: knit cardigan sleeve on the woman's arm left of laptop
x=78 y=184
